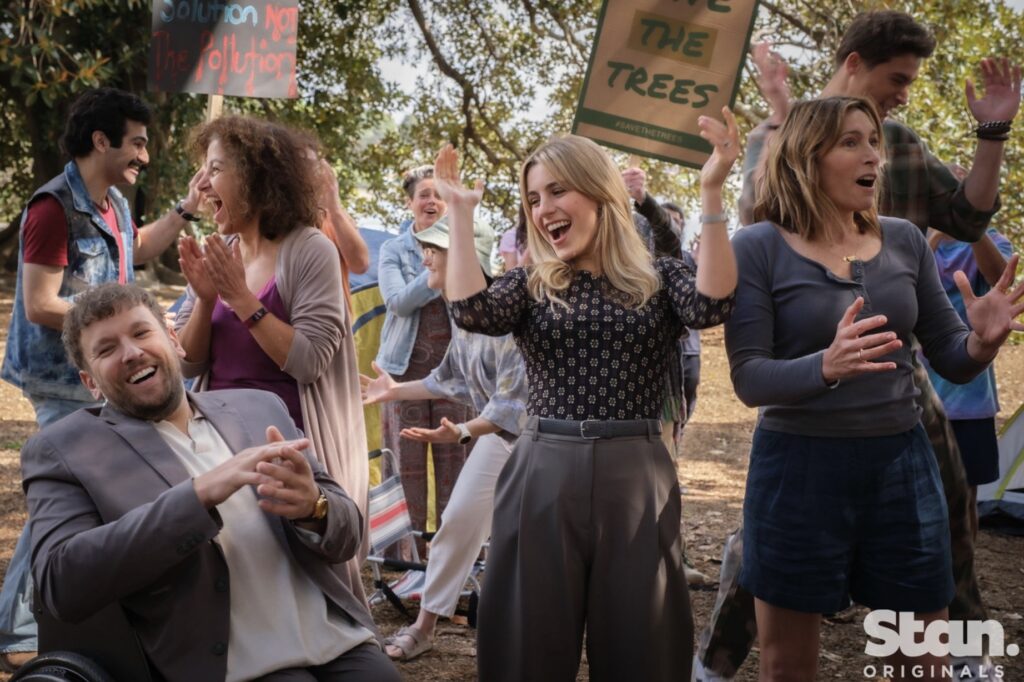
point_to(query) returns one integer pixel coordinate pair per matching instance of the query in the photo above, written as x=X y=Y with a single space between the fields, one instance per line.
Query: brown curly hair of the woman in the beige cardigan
x=278 y=179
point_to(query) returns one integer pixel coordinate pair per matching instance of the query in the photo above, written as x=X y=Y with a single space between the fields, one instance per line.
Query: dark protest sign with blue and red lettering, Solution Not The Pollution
x=217 y=48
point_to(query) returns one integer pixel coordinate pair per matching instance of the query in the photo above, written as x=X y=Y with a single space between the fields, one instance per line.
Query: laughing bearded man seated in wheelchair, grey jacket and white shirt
x=206 y=518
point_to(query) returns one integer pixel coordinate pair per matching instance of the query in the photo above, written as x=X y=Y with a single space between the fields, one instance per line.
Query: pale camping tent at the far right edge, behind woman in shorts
x=1002 y=502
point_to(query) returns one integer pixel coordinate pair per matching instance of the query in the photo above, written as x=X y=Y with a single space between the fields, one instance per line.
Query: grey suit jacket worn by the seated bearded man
x=115 y=519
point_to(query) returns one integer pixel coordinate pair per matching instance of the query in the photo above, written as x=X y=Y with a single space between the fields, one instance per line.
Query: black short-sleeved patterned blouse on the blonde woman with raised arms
x=599 y=360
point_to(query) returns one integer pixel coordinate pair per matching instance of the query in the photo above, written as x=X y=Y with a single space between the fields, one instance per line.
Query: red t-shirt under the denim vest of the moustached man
x=46 y=235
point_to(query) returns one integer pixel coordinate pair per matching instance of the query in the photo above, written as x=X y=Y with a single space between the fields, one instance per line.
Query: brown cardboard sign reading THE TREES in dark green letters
x=659 y=65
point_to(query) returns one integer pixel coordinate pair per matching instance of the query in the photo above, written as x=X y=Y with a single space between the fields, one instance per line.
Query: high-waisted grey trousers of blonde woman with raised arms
x=586 y=537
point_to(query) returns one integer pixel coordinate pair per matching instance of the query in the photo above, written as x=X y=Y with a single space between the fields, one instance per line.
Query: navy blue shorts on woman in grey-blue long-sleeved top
x=828 y=520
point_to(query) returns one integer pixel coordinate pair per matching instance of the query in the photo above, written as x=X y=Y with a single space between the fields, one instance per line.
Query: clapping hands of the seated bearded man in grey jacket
x=281 y=474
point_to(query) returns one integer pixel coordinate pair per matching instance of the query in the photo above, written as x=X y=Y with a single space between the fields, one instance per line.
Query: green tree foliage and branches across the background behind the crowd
x=498 y=78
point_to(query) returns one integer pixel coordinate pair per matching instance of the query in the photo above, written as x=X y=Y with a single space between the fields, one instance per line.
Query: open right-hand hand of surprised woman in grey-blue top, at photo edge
x=994 y=316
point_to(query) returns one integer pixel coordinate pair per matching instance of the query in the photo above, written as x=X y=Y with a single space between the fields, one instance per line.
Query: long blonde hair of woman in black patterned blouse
x=578 y=164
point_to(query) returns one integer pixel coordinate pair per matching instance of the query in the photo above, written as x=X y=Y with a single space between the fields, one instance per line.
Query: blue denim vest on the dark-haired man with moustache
x=36 y=361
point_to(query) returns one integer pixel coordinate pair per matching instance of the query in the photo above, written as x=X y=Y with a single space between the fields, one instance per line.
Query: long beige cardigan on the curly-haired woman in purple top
x=323 y=362
